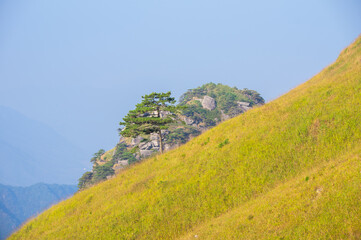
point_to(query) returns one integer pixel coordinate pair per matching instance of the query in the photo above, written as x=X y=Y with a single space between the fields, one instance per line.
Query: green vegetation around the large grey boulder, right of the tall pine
x=225 y=98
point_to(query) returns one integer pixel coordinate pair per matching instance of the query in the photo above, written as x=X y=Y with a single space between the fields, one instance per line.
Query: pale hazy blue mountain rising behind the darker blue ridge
x=32 y=152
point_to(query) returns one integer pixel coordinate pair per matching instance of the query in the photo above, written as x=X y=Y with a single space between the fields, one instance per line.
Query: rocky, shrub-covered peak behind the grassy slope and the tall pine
x=202 y=108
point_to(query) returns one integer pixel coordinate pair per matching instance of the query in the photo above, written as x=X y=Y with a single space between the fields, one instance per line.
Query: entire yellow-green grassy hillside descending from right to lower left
x=313 y=131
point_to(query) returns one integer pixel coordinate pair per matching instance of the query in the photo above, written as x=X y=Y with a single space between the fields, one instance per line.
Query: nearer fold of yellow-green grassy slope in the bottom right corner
x=323 y=203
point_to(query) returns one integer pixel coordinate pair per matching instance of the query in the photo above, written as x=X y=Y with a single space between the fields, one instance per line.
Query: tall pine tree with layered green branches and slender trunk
x=152 y=115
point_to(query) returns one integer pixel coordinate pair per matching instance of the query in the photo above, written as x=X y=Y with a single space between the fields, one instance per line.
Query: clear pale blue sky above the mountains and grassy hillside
x=80 y=65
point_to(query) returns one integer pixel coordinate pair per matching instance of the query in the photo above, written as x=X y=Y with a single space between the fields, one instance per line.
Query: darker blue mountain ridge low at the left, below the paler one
x=17 y=204
